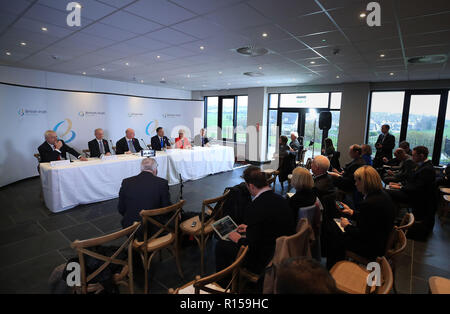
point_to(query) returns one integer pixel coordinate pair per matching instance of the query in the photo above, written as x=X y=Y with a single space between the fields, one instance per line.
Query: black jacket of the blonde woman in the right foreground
x=374 y=223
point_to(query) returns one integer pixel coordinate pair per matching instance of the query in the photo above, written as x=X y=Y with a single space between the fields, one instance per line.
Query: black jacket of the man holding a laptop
x=267 y=218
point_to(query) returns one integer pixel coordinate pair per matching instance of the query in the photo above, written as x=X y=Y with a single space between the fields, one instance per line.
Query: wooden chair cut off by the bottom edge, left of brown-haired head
x=208 y=284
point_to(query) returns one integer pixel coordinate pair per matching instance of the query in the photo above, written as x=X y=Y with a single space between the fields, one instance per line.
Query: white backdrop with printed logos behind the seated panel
x=26 y=113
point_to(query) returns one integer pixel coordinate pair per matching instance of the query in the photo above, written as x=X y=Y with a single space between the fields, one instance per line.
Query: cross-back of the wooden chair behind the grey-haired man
x=148 y=219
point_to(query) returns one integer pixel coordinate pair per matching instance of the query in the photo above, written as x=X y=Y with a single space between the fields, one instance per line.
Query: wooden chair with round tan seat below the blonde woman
x=352 y=278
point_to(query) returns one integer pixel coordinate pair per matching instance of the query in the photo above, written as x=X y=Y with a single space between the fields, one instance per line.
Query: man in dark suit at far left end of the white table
x=53 y=149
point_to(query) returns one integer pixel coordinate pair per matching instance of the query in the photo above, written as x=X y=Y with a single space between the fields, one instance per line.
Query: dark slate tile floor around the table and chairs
x=33 y=241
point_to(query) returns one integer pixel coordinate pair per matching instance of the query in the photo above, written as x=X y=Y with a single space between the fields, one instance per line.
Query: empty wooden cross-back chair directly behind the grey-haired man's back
x=157 y=242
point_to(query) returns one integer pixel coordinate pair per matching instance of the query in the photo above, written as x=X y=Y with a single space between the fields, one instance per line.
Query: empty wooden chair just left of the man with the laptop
x=203 y=225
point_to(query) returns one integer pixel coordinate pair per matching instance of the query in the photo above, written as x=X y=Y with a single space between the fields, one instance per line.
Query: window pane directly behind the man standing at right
x=385 y=108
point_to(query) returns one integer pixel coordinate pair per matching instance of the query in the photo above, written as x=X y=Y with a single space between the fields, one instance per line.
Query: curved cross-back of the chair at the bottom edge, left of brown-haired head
x=233 y=270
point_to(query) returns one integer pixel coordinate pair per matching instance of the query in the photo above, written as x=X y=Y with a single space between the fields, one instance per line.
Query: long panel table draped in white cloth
x=95 y=180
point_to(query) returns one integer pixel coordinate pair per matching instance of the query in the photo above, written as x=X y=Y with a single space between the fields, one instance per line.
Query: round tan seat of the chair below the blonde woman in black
x=350 y=277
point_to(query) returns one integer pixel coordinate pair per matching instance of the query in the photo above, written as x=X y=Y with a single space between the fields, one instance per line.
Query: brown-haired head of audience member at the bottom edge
x=303 y=275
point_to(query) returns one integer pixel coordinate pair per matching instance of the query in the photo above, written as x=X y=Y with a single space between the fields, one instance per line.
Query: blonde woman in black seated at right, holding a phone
x=374 y=219
